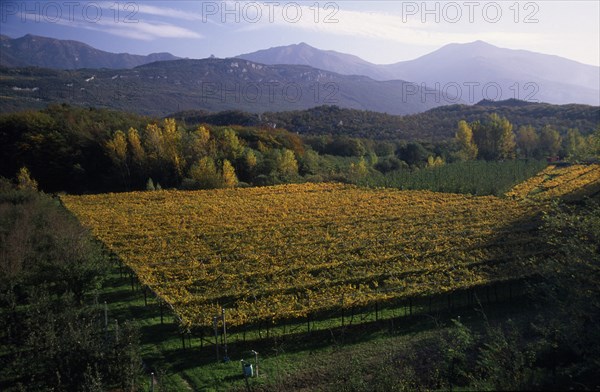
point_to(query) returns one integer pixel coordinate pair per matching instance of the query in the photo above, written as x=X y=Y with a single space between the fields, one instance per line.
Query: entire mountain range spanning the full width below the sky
x=293 y=77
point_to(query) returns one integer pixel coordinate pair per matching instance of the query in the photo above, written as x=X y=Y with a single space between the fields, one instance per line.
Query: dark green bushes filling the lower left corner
x=52 y=335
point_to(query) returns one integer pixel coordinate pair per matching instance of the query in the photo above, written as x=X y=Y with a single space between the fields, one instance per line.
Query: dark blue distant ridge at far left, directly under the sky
x=31 y=50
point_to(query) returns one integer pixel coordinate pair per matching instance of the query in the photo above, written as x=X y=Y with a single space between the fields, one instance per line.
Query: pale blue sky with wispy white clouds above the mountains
x=381 y=32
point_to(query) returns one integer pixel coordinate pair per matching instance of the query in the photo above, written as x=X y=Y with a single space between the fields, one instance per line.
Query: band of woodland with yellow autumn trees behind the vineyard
x=94 y=150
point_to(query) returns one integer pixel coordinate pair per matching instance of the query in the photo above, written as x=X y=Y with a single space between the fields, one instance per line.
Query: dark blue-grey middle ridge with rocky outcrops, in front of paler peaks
x=211 y=84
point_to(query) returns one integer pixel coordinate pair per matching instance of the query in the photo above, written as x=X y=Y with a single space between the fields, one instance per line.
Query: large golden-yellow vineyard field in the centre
x=285 y=252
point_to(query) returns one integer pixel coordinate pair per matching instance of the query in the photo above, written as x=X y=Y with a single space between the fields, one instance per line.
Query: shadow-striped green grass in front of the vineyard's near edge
x=290 y=356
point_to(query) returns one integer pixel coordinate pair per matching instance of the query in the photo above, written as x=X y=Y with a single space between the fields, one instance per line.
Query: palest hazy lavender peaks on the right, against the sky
x=471 y=72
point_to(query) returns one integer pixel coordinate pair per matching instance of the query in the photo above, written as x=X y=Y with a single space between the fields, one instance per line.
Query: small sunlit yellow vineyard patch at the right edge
x=568 y=182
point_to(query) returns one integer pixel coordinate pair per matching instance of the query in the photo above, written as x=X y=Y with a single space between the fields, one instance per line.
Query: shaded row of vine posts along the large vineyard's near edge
x=341 y=319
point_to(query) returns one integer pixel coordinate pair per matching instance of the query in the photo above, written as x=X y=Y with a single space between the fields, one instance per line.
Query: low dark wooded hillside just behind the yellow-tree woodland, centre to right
x=437 y=124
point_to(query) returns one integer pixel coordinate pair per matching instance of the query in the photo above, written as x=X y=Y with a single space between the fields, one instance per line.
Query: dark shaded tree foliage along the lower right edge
x=570 y=295
